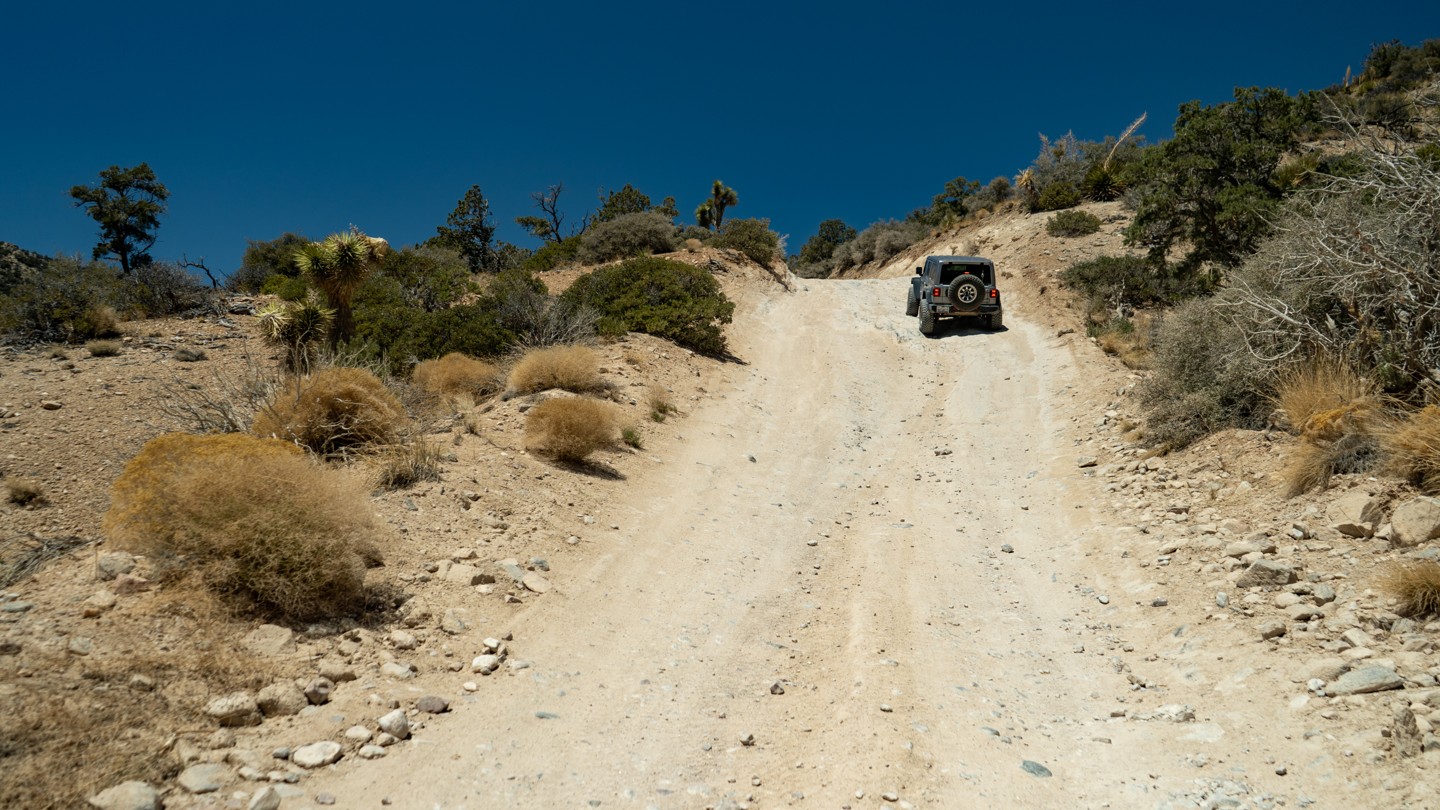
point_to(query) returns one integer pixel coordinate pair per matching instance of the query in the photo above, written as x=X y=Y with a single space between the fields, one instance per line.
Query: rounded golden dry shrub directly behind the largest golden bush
x=332 y=411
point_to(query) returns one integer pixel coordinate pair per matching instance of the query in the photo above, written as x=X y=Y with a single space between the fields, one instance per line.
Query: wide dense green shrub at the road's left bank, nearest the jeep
x=660 y=298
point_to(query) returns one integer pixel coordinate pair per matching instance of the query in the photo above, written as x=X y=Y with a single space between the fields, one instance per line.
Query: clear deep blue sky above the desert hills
x=269 y=117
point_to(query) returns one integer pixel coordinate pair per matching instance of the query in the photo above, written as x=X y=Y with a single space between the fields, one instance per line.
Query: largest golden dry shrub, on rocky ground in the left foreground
x=256 y=521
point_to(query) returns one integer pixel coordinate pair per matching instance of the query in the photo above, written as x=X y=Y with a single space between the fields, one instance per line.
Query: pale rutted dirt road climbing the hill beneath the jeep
x=868 y=576
